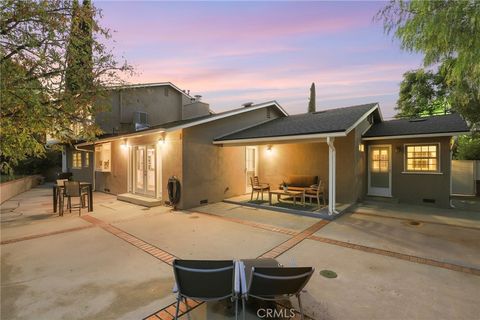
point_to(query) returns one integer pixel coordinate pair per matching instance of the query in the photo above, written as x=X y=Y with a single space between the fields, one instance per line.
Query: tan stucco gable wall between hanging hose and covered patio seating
x=213 y=172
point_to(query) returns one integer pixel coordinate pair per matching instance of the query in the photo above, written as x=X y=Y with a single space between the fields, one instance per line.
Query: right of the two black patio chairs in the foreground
x=274 y=283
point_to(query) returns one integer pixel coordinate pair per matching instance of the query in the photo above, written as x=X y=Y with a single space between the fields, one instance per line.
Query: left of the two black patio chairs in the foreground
x=206 y=280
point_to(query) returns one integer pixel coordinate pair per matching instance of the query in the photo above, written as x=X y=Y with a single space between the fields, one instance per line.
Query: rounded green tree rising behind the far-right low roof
x=422 y=93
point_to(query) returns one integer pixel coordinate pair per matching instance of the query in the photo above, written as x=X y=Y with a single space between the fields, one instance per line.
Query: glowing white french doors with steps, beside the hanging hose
x=144 y=173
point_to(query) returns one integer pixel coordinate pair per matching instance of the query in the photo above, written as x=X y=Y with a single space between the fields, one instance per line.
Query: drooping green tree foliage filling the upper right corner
x=446 y=32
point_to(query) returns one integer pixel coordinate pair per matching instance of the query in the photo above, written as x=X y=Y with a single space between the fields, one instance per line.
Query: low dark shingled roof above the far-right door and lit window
x=450 y=123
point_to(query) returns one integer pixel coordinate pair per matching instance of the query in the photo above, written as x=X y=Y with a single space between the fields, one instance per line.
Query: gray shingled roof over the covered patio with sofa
x=327 y=121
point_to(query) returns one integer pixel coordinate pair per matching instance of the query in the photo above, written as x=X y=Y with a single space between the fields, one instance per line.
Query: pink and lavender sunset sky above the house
x=237 y=52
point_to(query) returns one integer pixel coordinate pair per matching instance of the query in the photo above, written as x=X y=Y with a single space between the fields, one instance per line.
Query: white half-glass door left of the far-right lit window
x=380 y=171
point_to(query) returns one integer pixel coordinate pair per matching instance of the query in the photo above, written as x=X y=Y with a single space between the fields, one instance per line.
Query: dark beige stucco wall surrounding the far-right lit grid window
x=414 y=187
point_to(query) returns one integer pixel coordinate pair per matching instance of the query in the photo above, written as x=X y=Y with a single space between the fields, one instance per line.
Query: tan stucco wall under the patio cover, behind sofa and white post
x=310 y=159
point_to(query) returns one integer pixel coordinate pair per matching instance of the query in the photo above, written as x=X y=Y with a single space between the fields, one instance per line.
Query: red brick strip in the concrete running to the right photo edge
x=397 y=255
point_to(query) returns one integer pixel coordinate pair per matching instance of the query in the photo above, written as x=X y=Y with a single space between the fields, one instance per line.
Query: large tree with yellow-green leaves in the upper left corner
x=33 y=65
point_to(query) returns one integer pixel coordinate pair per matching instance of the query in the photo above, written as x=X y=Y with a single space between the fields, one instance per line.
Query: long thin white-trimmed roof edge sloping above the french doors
x=182 y=124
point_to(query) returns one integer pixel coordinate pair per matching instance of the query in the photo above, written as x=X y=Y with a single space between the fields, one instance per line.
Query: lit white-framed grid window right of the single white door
x=422 y=158
